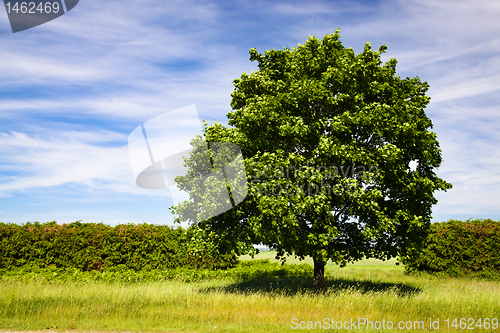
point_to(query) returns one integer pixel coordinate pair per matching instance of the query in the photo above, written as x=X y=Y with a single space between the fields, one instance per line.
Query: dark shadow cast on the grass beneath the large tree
x=294 y=286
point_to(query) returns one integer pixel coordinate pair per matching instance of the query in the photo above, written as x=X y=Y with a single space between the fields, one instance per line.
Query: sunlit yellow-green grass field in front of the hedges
x=371 y=289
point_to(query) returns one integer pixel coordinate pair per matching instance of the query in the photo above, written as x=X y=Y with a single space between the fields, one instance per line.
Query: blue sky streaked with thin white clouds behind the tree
x=73 y=89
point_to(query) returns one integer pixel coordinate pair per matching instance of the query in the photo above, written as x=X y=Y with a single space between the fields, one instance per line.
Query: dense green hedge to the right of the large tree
x=459 y=248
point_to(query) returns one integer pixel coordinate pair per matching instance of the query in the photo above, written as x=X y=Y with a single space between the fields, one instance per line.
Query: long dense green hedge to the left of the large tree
x=96 y=246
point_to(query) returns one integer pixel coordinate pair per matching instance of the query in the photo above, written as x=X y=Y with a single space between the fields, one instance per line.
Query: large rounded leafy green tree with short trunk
x=339 y=156
